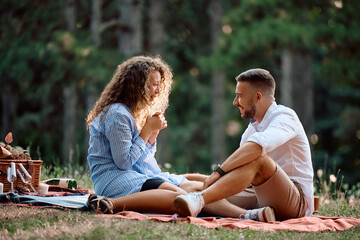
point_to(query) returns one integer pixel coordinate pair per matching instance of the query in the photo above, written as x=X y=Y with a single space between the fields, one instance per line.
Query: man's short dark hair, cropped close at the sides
x=260 y=78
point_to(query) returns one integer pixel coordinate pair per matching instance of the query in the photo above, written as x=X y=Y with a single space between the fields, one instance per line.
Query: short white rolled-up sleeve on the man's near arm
x=280 y=130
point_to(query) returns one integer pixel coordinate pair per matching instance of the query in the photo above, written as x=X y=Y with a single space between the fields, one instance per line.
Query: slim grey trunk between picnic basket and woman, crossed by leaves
x=70 y=101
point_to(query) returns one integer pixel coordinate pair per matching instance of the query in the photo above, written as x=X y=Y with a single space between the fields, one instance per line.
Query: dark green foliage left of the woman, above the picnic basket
x=38 y=62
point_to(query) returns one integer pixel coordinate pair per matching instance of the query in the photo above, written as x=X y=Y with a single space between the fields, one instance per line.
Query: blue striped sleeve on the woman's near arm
x=125 y=149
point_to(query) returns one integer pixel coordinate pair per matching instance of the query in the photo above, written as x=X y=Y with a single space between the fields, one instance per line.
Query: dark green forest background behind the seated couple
x=57 y=56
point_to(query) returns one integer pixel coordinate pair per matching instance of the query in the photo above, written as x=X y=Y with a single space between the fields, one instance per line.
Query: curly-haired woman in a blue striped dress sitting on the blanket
x=123 y=127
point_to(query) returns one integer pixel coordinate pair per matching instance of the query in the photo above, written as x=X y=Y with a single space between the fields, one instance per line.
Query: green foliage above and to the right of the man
x=260 y=30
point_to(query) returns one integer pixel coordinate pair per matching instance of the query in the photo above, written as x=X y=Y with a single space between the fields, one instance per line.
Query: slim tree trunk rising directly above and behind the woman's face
x=156 y=45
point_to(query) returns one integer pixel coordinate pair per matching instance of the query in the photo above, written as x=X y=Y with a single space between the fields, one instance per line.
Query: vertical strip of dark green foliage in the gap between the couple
x=189 y=110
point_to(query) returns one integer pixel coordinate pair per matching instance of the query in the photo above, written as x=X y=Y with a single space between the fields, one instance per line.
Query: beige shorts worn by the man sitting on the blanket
x=278 y=192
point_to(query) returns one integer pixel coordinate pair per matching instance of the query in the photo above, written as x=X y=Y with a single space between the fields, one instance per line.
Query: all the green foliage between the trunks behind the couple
x=40 y=58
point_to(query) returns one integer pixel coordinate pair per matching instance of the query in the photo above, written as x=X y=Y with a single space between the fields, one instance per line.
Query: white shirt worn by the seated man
x=282 y=137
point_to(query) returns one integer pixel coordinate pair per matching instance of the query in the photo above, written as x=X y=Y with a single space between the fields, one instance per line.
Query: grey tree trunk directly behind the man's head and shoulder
x=297 y=87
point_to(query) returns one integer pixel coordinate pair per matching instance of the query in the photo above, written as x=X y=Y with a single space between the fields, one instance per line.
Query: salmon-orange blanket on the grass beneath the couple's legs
x=305 y=224
